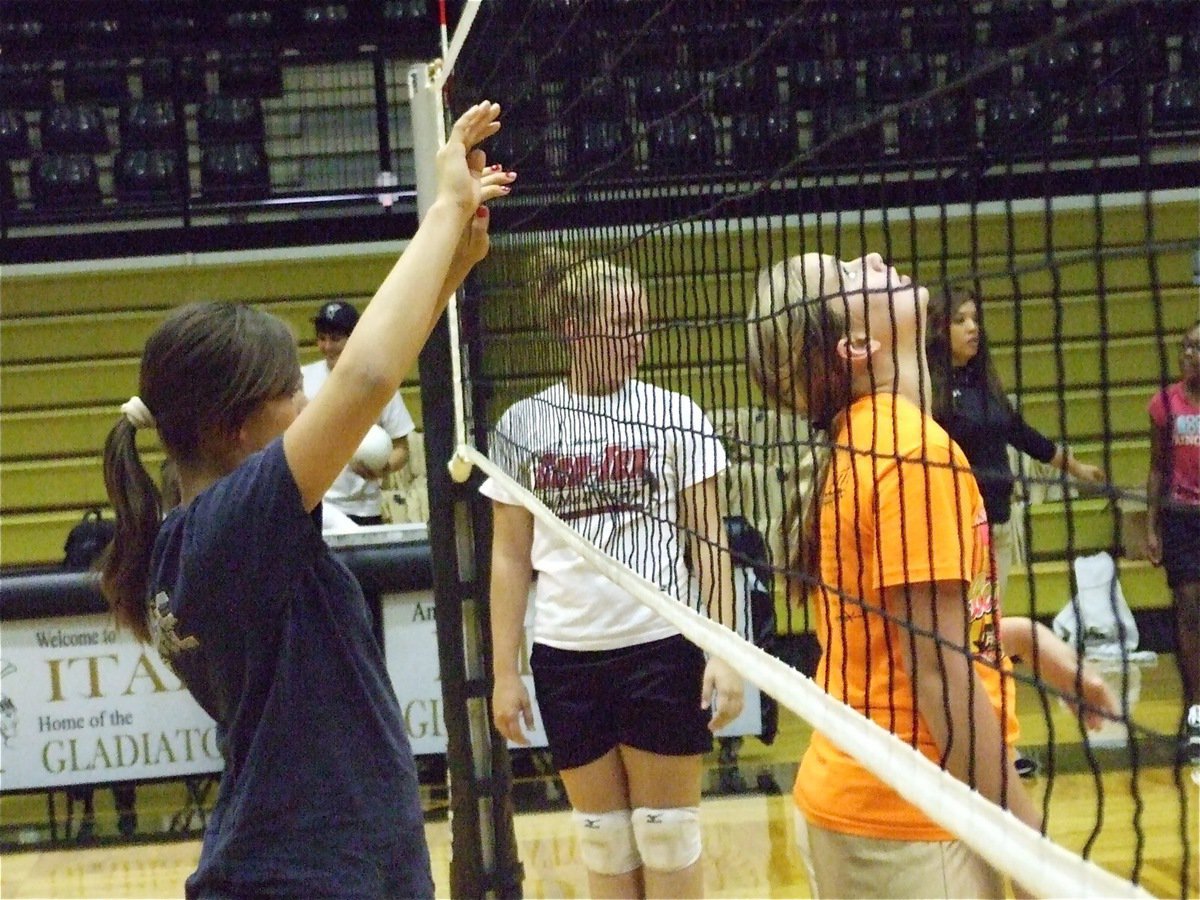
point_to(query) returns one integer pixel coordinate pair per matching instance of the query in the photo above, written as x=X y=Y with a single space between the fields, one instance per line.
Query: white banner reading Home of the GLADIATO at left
x=83 y=703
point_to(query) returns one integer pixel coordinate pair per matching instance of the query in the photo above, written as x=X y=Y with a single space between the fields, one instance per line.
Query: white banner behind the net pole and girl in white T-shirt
x=411 y=645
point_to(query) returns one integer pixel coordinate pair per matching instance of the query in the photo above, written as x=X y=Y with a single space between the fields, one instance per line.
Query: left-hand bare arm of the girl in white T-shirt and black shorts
x=512 y=575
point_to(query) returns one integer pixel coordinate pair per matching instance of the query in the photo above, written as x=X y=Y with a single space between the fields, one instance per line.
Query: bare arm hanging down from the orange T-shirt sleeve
x=951 y=699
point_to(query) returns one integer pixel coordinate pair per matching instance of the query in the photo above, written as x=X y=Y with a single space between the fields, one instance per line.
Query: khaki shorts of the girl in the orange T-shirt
x=847 y=866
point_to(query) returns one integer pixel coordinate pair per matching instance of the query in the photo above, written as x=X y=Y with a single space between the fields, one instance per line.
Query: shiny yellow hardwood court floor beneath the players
x=749 y=844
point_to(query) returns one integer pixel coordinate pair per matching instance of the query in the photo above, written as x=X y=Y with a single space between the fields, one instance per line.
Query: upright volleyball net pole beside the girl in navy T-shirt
x=484 y=855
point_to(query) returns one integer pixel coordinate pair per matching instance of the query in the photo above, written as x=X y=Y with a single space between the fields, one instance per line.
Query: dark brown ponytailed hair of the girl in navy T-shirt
x=205 y=370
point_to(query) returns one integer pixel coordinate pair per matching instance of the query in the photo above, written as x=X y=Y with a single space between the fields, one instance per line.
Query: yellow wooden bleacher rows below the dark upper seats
x=59 y=393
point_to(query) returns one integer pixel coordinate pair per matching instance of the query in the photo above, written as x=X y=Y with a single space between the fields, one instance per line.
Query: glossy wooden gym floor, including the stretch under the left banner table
x=747 y=817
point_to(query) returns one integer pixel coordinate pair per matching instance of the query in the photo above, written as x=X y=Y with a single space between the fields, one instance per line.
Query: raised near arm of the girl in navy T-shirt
x=398 y=321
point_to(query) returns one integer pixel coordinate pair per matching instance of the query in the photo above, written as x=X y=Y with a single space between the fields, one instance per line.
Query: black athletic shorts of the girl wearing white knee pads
x=646 y=697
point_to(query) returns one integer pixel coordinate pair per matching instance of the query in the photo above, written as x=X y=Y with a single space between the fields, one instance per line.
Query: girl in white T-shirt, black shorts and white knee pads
x=623 y=697
